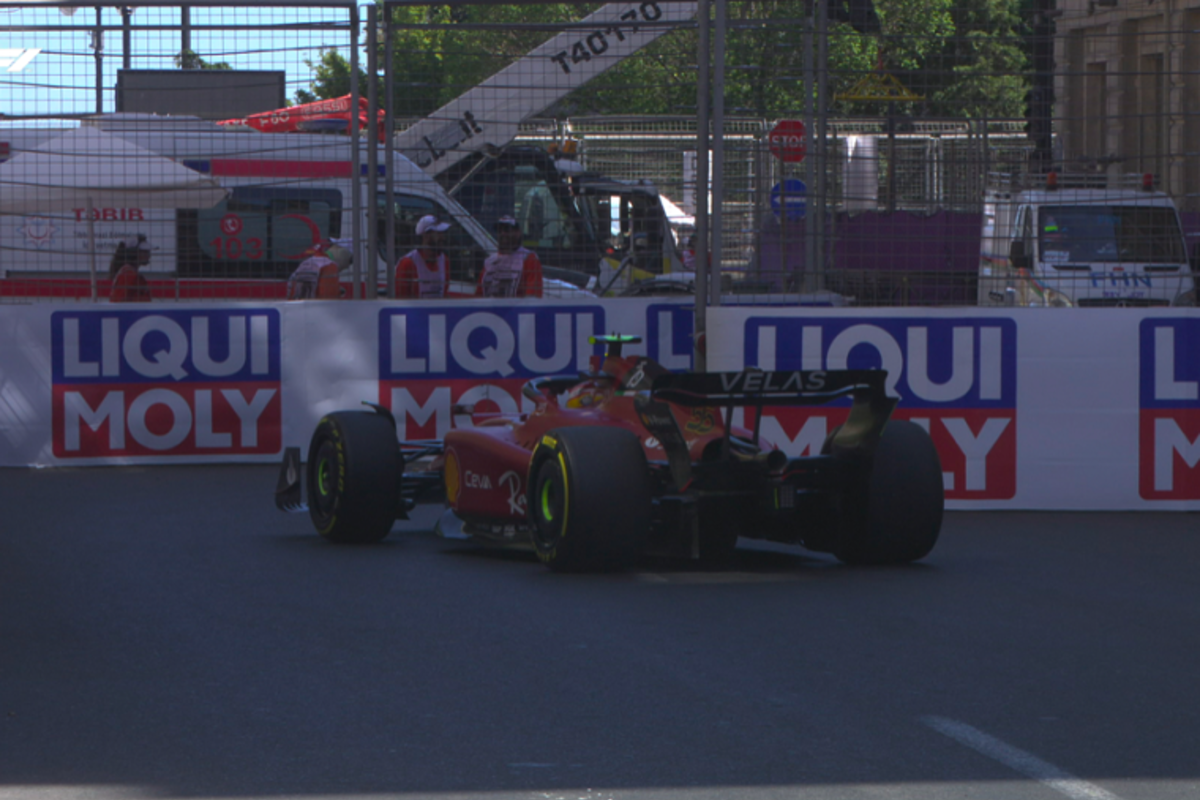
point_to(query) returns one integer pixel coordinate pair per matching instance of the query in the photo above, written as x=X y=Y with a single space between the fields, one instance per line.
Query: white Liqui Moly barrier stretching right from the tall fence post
x=1031 y=410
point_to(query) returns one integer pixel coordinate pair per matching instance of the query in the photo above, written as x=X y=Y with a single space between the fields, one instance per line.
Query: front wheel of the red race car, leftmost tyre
x=355 y=470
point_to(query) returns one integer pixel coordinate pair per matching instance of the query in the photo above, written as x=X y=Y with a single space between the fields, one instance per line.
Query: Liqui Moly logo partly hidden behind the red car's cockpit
x=433 y=360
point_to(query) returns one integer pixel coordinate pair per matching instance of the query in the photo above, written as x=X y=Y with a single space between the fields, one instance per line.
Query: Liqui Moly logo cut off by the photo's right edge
x=1169 y=410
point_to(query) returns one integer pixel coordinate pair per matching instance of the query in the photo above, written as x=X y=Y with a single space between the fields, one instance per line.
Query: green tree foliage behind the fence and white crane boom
x=964 y=58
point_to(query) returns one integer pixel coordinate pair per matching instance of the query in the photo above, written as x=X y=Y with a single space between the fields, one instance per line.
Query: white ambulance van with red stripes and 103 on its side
x=287 y=193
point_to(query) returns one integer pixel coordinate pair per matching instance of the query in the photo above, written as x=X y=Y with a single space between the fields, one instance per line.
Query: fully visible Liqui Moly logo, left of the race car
x=170 y=383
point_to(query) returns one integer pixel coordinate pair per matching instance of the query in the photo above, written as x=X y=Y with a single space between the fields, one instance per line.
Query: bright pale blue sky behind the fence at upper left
x=62 y=79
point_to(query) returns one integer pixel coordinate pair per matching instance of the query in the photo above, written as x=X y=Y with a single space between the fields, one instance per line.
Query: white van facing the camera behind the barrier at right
x=1083 y=244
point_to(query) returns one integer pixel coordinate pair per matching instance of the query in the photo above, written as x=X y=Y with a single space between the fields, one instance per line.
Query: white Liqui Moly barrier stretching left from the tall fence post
x=100 y=384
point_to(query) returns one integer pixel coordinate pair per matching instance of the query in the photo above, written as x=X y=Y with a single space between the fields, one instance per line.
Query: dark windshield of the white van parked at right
x=1109 y=233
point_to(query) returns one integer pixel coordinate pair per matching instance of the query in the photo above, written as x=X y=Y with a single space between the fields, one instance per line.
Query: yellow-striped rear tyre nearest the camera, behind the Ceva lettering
x=590 y=500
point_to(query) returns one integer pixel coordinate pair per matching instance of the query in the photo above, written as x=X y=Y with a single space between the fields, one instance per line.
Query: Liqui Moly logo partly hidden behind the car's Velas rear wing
x=957 y=378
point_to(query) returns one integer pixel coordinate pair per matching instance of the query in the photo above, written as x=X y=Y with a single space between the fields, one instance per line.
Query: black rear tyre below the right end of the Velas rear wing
x=899 y=516
